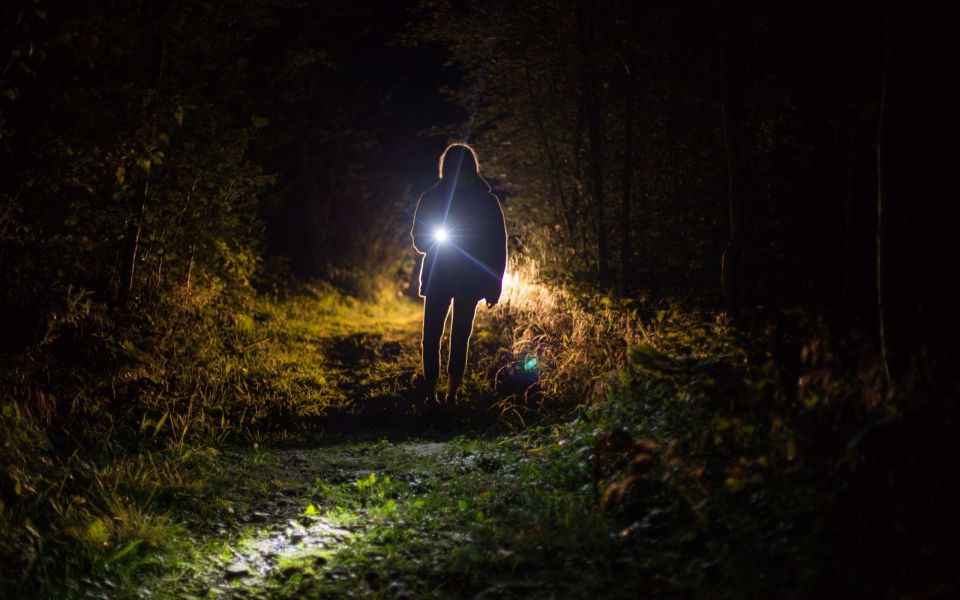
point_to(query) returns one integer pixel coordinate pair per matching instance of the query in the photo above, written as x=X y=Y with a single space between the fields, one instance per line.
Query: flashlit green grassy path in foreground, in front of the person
x=377 y=519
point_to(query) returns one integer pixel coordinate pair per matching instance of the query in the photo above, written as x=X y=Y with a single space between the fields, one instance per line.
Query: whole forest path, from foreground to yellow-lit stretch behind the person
x=388 y=506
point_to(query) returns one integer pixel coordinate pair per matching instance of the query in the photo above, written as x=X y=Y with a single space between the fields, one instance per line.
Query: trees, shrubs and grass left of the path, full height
x=136 y=154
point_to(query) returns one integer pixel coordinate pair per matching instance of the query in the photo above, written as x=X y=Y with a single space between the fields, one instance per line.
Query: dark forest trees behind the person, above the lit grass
x=341 y=109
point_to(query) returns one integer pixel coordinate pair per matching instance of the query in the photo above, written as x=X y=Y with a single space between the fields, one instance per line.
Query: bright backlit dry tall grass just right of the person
x=580 y=340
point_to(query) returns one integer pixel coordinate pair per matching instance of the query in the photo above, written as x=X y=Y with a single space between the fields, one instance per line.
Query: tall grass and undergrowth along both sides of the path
x=107 y=421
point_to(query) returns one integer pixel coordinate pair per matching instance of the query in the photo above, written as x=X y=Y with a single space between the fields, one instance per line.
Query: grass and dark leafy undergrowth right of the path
x=730 y=450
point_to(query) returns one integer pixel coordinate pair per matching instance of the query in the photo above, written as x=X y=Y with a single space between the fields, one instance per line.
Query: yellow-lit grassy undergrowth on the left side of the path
x=106 y=419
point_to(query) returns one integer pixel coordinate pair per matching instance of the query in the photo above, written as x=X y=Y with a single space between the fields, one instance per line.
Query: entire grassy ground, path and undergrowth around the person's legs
x=601 y=447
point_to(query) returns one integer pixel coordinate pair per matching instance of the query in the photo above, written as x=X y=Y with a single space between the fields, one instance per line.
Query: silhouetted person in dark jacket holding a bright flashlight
x=459 y=228
